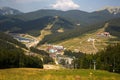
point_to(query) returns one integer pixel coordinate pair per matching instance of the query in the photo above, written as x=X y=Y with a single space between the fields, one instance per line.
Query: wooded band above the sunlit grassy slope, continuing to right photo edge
x=113 y=28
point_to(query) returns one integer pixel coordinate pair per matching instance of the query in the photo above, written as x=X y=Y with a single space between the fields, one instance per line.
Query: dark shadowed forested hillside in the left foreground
x=12 y=56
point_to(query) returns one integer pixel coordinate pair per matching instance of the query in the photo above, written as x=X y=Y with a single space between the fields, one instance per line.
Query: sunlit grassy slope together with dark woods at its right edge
x=81 y=43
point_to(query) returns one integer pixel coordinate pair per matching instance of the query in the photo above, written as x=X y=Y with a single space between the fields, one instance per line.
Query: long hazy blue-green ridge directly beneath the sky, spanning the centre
x=75 y=16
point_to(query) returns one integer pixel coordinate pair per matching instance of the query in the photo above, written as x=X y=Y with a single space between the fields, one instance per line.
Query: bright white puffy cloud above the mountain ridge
x=65 y=5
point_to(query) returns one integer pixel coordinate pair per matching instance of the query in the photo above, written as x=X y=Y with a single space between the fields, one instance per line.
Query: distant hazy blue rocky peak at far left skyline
x=9 y=11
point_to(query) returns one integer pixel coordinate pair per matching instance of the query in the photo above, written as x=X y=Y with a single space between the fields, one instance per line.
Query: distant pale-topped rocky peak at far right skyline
x=107 y=13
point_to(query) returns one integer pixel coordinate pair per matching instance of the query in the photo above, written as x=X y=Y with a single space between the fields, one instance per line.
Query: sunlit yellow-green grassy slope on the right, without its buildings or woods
x=81 y=43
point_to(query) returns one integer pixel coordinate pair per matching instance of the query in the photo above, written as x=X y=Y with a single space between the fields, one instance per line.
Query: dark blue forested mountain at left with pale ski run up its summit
x=34 y=27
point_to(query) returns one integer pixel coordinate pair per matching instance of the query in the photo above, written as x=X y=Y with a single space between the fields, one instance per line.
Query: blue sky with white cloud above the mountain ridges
x=33 y=5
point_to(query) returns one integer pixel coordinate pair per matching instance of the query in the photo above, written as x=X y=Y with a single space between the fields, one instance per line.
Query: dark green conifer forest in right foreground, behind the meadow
x=107 y=59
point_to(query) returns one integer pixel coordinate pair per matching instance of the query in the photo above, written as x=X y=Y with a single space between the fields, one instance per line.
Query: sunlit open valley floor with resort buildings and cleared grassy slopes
x=89 y=43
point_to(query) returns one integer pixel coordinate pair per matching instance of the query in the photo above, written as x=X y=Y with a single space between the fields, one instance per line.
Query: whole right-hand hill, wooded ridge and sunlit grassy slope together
x=77 y=39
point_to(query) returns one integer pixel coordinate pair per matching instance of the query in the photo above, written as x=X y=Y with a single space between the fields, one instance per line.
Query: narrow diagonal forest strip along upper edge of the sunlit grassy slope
x=78 y=31
